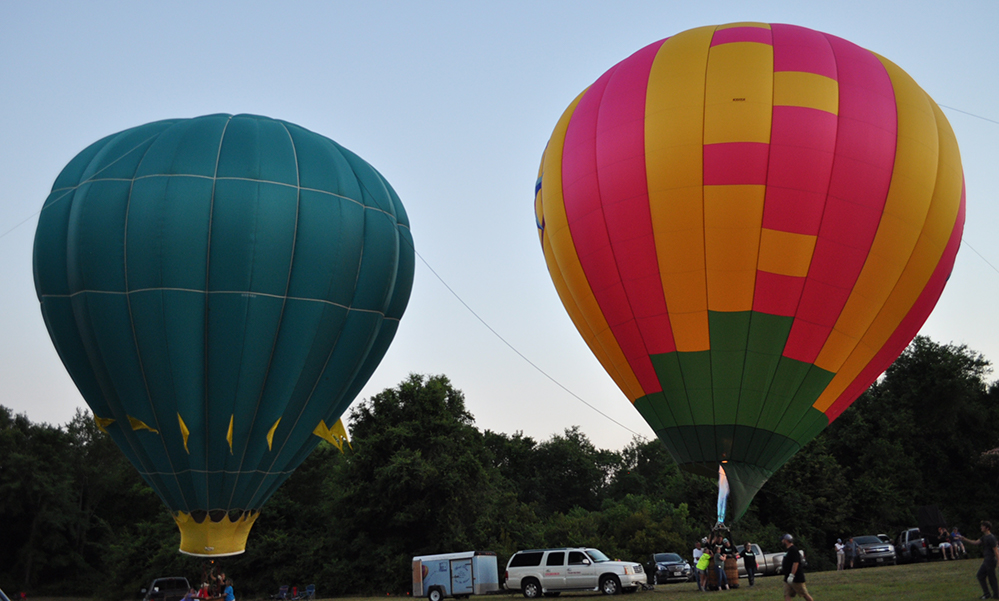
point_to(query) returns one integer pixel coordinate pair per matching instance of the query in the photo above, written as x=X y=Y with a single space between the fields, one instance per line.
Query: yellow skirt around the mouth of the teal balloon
x=215 y=533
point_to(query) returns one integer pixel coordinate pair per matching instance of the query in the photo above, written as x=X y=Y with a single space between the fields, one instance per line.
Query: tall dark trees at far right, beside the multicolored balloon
x=916 y=438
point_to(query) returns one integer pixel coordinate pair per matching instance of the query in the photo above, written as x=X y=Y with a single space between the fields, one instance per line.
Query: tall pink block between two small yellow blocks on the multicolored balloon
x=802 y=144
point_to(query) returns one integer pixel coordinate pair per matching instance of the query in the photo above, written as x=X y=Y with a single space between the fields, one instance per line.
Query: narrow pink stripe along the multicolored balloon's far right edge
x=910 y=324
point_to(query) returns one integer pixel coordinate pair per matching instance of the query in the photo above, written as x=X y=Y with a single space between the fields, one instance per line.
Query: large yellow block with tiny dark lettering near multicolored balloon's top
x=738 y=94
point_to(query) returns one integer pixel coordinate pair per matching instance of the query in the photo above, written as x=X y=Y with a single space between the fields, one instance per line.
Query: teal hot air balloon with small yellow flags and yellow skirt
x=220 y=289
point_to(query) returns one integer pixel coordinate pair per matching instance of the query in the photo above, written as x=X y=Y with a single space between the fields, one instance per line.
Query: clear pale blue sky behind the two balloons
x=453 y=102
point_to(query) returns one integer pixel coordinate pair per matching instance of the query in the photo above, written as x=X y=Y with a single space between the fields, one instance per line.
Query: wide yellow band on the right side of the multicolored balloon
x=921 y=212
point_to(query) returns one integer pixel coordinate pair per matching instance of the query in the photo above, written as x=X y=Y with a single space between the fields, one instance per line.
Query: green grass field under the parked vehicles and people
x=937 y=581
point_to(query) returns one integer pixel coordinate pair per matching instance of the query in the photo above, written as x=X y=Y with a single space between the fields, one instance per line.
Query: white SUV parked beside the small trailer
x=549 y=571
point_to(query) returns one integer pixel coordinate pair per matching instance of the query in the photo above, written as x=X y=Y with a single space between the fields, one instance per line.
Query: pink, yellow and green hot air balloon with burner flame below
x=747 y=224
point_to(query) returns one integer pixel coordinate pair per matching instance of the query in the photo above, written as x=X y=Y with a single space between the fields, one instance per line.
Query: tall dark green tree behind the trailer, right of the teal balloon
x=417 y=482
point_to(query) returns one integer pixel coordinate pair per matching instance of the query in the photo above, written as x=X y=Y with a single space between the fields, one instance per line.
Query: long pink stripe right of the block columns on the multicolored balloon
x=858 y=186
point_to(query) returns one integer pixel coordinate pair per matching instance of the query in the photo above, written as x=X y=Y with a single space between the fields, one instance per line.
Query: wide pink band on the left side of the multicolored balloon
x=607 y=206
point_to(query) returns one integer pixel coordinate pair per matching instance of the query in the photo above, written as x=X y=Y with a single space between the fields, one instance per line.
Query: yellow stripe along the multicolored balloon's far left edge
x=567 y=273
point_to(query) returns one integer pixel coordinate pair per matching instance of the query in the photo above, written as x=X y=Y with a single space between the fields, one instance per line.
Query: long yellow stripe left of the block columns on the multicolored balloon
x=674 y=129
